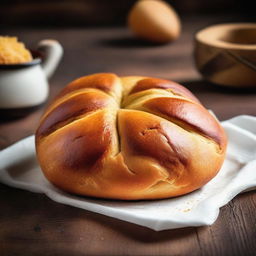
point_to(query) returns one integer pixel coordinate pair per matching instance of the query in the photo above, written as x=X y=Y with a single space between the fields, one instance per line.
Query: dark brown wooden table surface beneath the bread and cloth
x=32 y=224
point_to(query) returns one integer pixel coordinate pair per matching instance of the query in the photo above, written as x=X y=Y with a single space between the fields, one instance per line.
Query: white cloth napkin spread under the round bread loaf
x=19 y=168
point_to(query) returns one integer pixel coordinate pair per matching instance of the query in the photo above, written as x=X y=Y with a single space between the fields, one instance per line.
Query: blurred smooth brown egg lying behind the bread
x=155 y=21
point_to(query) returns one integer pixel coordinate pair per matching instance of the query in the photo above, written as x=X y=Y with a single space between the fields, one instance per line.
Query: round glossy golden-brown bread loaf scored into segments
x=128 y=138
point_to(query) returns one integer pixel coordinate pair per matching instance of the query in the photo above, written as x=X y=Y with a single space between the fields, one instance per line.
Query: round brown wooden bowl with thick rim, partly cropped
x=225 y=54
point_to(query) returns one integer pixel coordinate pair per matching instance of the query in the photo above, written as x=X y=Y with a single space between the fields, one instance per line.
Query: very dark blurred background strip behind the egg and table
x=108 y=12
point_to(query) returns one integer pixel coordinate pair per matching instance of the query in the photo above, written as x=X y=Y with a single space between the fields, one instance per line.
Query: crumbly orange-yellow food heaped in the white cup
x=13 y=52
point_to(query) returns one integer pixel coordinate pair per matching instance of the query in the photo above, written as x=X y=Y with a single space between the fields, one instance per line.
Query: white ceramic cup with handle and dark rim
x=26 y=85
